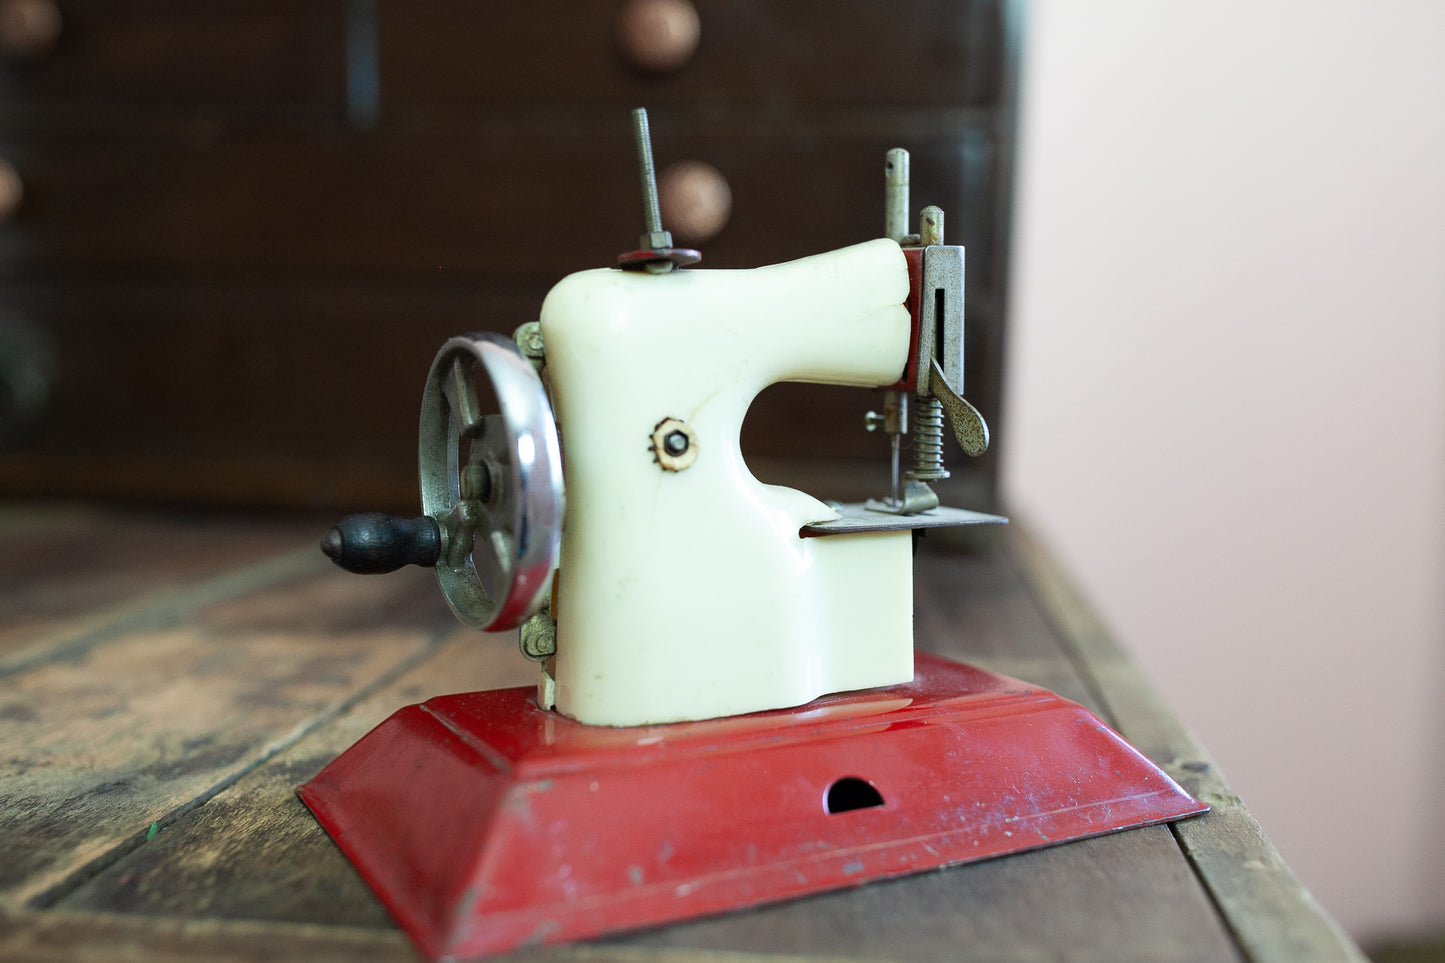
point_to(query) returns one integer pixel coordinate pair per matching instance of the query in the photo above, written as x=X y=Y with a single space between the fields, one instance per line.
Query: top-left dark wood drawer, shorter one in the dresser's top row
x=186 y=54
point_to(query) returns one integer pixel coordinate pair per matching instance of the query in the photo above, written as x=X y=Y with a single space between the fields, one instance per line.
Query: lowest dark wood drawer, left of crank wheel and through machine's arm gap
x=222 y=391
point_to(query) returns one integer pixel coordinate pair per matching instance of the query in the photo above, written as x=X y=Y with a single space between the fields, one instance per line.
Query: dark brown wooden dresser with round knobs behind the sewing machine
x=246 y=226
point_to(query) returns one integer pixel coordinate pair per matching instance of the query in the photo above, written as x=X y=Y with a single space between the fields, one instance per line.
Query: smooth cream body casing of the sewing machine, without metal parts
x=687 y=589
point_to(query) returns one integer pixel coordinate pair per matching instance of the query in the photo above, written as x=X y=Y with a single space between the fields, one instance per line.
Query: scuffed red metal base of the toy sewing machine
x=485 y=823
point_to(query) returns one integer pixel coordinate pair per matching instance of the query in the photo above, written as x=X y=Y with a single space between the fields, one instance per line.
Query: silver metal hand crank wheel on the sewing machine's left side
x=493 y=482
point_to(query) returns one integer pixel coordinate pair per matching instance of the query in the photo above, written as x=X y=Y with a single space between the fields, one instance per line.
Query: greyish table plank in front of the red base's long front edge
x=1115 y=897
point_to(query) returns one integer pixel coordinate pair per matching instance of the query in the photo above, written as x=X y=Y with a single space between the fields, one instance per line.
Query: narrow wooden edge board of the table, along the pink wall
x=1272 y=916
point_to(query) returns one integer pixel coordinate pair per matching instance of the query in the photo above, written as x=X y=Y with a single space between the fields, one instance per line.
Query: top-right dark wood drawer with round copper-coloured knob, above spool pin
x=788 y=53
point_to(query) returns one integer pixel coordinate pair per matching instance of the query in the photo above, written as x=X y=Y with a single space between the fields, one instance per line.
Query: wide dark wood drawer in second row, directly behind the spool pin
x=534 y=203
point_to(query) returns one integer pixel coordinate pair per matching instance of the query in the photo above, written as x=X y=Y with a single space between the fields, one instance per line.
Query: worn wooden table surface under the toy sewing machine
x=167 y=682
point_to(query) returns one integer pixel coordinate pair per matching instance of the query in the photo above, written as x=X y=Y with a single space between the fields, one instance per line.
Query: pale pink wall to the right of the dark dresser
x=1228 y=397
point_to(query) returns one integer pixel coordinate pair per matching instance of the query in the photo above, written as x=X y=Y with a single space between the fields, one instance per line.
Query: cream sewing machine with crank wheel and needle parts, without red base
x=676 y=586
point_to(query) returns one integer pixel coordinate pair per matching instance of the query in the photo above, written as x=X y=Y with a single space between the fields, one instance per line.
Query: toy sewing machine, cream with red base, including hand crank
x=729 y=711
